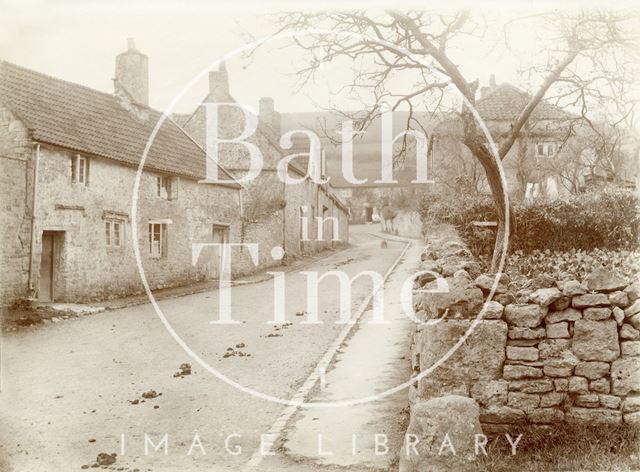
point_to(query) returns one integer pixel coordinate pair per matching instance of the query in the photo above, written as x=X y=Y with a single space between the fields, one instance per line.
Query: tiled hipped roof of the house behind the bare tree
x=506 y=102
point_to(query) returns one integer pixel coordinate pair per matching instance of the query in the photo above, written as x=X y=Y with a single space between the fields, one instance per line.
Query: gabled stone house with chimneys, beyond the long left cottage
x=302 y=218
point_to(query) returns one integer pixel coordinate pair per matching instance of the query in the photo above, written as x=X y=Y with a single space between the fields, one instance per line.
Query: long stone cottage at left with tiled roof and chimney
x=69 y=156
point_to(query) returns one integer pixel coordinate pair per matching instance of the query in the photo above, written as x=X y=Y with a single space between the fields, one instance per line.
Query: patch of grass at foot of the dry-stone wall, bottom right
x=567 y=447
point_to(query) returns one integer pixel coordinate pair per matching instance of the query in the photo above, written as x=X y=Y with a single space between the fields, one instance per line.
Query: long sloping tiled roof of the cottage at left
x=86 y=120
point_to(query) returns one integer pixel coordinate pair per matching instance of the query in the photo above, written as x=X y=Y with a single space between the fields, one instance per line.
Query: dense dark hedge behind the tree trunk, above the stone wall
x=607 y=218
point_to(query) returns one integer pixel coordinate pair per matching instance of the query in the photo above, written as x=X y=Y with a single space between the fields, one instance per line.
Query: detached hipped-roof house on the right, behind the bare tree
x=548 y=157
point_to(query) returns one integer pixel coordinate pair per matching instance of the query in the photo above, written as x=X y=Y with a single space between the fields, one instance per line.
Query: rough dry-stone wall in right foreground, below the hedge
x=568 y=352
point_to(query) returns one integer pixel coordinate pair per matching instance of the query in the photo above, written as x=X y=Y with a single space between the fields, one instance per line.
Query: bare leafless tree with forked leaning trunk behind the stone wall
x=585 y=51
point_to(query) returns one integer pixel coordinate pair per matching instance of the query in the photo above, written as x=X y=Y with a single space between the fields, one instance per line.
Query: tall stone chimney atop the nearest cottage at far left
x=132 y=74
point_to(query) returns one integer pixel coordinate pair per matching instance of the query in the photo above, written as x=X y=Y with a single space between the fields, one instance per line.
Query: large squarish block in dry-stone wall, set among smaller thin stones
x=595 y=340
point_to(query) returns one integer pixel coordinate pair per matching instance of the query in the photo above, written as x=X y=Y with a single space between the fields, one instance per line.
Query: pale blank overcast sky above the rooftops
x=78 y=40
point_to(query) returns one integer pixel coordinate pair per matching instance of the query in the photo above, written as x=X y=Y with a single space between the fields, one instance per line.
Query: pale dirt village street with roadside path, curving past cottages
x=74 y=389
